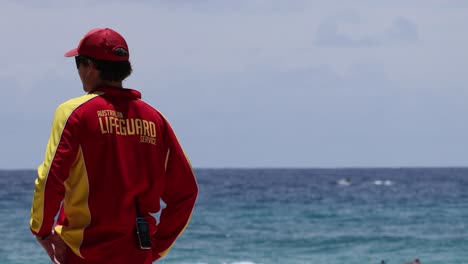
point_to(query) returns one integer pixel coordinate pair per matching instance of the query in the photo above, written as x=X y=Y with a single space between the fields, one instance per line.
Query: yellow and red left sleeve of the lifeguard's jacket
x=60 y=153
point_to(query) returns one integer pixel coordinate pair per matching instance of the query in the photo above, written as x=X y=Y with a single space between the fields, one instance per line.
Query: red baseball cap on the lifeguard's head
x=101 y=43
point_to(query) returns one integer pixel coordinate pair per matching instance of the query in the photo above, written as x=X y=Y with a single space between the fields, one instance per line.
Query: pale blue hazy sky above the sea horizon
x=257 y=83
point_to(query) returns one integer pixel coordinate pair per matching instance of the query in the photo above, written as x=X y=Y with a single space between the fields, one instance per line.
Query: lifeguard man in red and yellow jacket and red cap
x=109 y=161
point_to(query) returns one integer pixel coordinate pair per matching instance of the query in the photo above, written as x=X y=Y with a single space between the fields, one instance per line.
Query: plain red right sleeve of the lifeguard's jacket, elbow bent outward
x=179 y=195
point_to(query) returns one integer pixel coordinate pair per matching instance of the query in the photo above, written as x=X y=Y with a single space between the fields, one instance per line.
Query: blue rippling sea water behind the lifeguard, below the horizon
x=253 y=216
